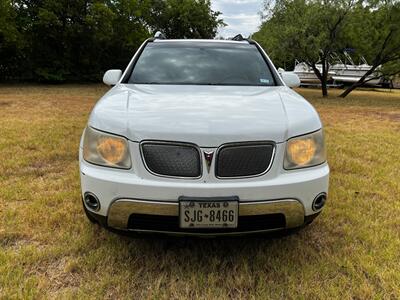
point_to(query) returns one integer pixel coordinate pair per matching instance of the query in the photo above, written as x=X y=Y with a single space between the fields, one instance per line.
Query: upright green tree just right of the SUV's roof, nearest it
x=307 y=30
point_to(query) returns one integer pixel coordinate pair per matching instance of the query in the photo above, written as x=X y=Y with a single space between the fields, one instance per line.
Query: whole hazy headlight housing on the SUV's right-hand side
x=305 y=151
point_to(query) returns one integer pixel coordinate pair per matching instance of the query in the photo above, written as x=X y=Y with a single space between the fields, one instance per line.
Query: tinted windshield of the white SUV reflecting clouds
x=201 y=64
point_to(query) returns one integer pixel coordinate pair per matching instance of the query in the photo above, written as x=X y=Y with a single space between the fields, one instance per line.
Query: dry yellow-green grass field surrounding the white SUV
x=48 y=249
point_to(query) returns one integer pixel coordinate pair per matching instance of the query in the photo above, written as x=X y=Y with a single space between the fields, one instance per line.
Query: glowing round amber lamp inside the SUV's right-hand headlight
x=301 y=152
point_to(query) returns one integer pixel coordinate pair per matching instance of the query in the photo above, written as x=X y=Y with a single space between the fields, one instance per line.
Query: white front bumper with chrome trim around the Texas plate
x=124 y=194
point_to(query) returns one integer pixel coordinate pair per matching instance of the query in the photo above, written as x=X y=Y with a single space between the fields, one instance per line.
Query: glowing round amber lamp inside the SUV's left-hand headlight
x=111 y=149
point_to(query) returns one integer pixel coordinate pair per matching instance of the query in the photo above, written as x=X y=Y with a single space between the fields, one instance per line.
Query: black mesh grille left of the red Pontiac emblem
x=172 y=160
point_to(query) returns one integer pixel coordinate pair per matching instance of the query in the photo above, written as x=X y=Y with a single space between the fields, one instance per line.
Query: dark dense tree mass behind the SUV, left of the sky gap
x=63 y=40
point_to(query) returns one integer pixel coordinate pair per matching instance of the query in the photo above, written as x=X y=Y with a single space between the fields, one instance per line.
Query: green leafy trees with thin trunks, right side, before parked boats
x=313 y=30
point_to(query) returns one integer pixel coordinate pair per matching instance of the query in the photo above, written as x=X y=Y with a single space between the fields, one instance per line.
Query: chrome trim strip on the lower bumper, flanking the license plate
x=121 y=209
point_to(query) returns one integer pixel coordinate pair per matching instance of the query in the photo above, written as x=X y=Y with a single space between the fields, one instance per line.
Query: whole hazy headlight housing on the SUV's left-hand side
x=105 y=149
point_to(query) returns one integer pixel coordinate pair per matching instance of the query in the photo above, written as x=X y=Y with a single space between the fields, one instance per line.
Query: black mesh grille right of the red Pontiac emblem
x=243 y=160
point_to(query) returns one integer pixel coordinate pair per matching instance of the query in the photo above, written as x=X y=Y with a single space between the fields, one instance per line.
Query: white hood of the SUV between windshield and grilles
x=205 y=115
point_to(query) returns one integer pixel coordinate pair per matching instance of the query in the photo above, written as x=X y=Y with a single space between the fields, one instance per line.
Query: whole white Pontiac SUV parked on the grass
x=202 y=137
